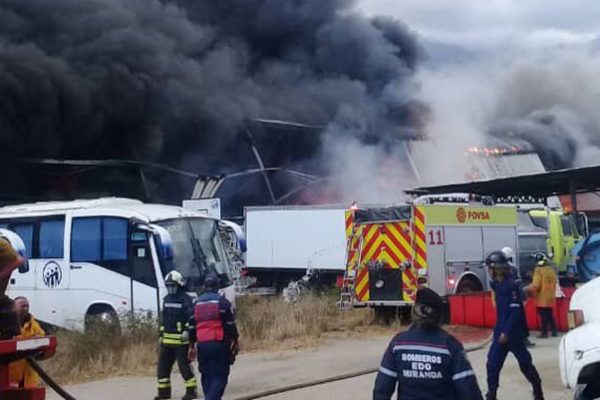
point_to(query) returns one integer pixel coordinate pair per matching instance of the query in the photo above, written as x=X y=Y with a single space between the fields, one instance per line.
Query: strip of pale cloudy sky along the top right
x=479 y=25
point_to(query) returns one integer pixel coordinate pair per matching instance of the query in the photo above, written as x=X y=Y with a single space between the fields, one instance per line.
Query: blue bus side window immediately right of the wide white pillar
x=86 y=235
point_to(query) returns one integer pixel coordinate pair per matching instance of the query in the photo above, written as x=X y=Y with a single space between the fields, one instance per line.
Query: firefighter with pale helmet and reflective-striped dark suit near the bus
x=174 y=338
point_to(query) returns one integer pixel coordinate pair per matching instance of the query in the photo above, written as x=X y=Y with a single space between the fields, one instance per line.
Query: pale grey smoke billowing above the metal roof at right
x=544 y=100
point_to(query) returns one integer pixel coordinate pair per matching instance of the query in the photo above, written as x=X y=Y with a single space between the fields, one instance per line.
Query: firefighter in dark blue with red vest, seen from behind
x=217 y=338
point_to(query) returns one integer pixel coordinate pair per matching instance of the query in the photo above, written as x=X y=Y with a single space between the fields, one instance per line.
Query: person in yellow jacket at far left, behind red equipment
x=20 y=373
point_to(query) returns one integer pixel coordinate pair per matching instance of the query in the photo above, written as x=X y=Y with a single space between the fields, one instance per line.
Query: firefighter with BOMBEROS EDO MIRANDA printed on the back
x=426 y=362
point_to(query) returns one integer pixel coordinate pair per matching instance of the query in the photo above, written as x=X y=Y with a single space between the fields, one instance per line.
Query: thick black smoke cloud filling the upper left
x=176 y=81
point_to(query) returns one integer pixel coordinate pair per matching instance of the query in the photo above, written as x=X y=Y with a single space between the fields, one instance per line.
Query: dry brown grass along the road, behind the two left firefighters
x=265 y=323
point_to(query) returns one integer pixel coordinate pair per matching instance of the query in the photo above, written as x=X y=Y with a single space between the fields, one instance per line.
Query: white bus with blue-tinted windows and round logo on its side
x=106 y=257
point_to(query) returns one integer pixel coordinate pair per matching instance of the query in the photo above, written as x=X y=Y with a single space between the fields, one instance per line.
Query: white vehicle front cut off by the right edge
x=579 y=350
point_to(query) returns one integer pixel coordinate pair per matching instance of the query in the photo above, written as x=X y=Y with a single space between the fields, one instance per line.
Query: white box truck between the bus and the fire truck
x=284 y=241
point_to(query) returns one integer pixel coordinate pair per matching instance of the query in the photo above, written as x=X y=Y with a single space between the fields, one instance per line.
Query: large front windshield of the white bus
x=197 y=249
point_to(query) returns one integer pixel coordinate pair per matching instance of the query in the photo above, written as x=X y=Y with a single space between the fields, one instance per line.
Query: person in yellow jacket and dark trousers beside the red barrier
x=543 y=288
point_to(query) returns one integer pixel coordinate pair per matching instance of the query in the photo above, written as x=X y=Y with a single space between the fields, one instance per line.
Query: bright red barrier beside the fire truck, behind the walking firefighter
x=478 y=309
